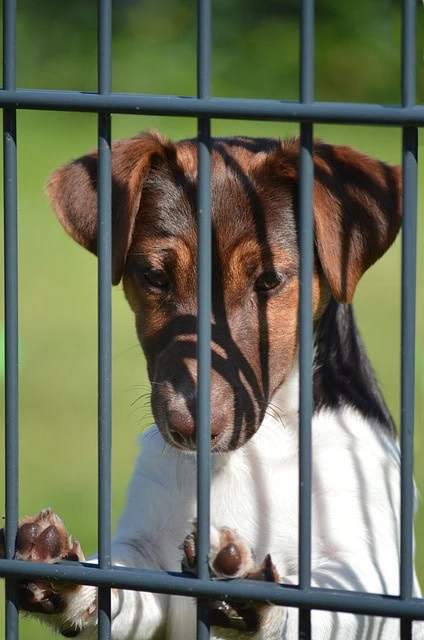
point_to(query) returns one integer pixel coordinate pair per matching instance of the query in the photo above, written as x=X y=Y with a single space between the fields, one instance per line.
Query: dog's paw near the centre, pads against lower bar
x=231 y=557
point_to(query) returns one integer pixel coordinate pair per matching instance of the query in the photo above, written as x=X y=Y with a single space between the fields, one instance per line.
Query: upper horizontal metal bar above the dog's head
x=228 y=108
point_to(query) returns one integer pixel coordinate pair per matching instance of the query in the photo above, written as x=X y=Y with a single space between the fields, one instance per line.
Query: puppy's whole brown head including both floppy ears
x=255 y=281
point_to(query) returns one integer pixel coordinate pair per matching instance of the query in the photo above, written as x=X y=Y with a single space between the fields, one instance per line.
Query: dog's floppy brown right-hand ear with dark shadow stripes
x=357 y=213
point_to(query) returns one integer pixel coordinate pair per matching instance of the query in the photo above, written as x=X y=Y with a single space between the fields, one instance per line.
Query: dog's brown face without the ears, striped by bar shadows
x=254 y=291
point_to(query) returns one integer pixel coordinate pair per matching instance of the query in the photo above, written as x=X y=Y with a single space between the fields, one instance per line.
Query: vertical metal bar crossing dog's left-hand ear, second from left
x=104 y=244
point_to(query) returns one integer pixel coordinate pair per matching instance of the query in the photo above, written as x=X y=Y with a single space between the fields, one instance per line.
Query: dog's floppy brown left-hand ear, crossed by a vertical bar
x=72 y=190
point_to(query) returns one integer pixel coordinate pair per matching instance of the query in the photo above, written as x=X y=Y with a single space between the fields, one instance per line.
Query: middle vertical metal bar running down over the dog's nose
x=204 y=288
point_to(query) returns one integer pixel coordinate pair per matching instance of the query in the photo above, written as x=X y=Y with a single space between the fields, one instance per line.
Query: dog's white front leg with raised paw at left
x=73 y=609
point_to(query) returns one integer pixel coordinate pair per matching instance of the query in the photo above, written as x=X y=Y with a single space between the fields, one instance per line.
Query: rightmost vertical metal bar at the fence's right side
x=409 y=256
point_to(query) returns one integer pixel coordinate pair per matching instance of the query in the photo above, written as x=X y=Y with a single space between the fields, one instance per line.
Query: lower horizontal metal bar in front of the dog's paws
x=245 y=590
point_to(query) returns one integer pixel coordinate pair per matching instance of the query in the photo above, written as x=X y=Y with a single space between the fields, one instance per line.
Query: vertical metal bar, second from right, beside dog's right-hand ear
x=306 y=230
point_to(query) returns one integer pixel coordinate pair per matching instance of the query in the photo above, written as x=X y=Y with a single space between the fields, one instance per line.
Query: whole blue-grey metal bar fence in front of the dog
x=409 y=116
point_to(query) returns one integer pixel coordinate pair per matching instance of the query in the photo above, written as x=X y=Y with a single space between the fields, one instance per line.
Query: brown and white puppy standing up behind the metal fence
x=254 y=387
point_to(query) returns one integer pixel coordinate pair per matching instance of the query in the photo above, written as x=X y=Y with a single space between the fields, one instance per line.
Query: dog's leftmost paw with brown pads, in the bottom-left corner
x=43 y=538
